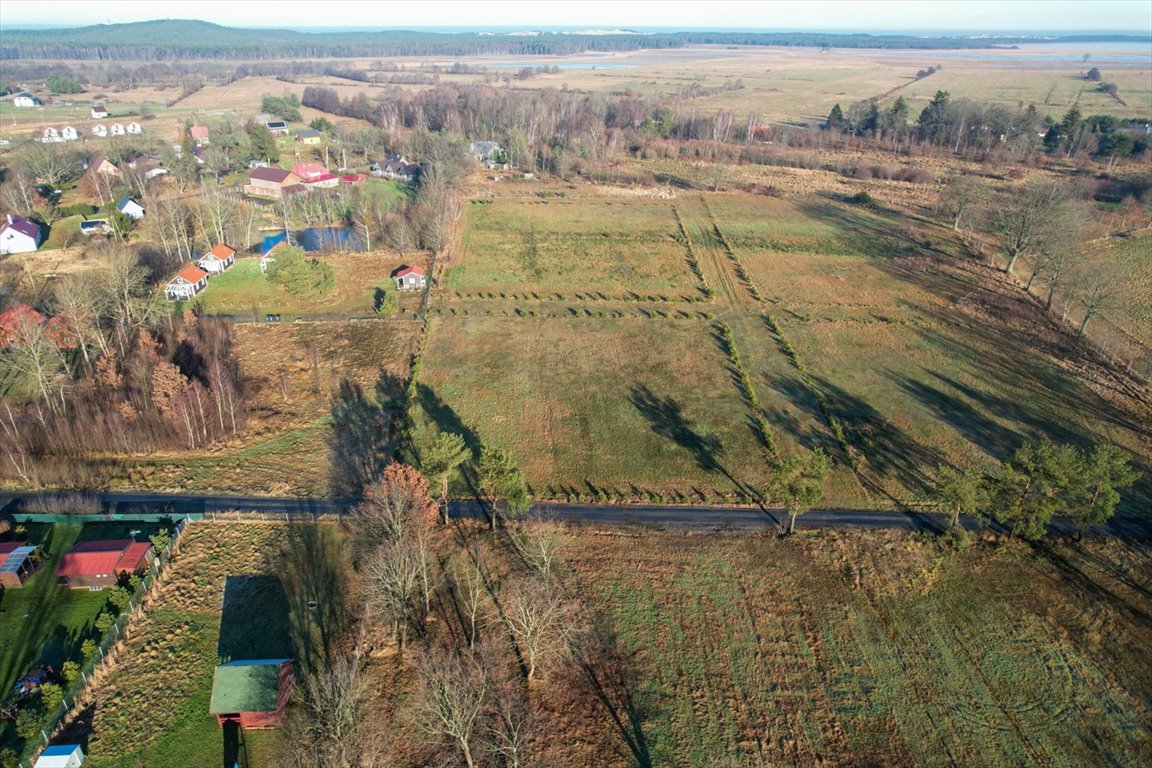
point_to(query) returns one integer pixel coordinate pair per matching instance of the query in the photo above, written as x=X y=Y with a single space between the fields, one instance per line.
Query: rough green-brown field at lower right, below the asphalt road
x=870 y=649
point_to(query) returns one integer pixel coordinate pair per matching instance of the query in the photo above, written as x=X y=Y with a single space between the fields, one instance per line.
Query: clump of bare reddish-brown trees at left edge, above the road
x=113 y=372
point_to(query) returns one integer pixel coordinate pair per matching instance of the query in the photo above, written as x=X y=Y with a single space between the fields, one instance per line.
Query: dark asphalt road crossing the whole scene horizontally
x=647 y=515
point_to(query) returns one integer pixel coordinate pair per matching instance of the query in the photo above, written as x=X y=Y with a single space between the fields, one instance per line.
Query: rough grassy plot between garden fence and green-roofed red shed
x=175 y=648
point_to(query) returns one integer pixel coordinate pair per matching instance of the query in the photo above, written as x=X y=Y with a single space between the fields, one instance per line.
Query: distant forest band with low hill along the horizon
x=173 y=41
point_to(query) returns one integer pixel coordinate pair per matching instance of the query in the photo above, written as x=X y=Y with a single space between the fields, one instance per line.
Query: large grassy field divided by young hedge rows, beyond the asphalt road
x=866 y=316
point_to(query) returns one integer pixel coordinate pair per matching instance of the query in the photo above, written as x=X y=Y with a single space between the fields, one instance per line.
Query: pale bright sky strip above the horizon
x=838 y=16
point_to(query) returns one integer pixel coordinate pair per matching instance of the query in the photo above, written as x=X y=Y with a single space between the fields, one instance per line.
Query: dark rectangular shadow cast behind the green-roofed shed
x=254 y=620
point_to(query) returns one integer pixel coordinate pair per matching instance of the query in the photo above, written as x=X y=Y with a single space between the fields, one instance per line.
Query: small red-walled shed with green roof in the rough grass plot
x=252 y=694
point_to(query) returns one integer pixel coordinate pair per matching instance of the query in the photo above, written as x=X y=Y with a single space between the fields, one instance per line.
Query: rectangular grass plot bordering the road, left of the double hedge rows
x=625 y=406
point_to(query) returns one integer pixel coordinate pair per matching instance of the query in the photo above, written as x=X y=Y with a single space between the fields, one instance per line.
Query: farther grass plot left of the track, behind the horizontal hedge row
x=559 y=246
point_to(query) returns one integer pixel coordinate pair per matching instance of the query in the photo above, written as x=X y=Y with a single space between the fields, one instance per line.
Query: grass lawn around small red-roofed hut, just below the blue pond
x=244 y=291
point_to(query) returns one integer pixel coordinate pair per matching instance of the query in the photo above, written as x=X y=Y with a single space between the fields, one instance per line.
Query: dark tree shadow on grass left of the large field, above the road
x=362 y=440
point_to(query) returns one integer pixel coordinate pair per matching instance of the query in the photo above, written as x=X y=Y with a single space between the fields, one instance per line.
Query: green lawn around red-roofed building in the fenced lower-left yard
x=44 y=623
